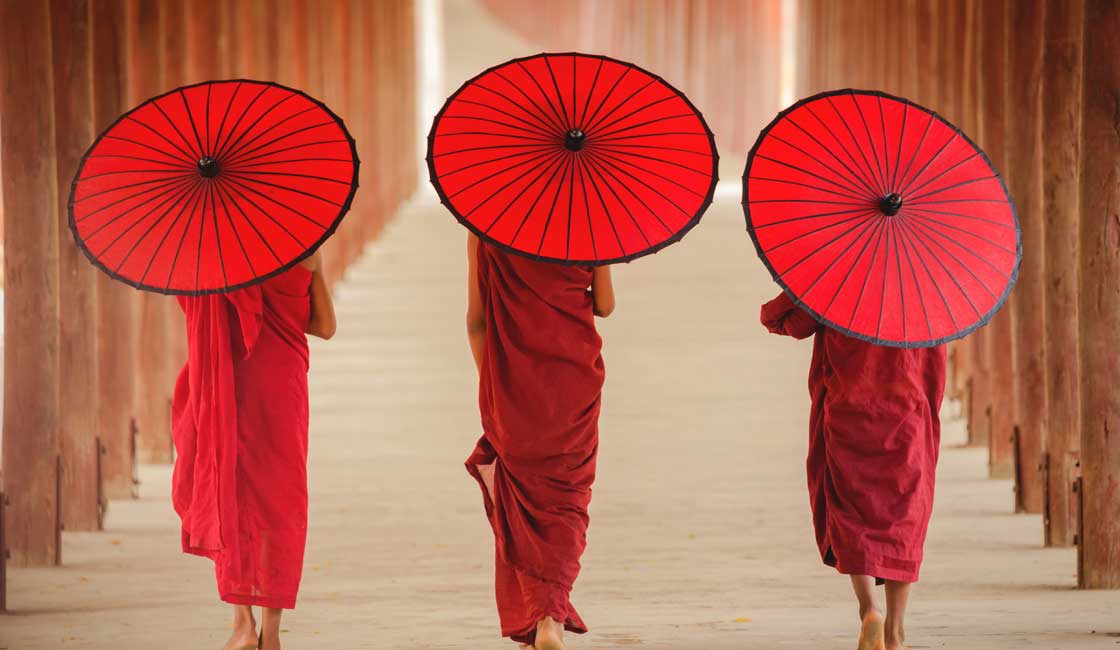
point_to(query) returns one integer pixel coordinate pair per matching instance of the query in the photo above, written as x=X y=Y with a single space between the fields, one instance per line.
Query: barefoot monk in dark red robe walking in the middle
x=533 y=333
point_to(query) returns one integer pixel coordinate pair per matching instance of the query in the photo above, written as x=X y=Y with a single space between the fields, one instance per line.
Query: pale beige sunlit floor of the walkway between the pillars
x=701 y=536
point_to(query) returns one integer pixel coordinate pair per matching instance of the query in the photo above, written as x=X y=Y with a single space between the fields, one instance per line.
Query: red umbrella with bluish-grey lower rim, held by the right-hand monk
x=881 y=219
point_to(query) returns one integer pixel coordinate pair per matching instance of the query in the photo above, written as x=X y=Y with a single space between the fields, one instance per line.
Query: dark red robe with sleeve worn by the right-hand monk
x=873 y=445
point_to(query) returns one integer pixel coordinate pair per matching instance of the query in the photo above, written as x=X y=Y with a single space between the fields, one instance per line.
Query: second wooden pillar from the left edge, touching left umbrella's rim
x=78 y=283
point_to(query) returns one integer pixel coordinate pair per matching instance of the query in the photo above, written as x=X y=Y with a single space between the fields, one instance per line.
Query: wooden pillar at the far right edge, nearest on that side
x=1100 y=299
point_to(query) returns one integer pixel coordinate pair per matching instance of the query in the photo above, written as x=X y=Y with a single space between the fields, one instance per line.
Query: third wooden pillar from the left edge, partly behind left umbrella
x=116 y=301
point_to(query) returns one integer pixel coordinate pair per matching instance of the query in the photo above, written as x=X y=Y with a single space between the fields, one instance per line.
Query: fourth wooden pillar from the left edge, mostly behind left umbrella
x=152 y=389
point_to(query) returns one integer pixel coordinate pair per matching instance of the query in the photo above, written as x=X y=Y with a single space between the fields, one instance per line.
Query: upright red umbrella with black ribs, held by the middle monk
x=573 y=159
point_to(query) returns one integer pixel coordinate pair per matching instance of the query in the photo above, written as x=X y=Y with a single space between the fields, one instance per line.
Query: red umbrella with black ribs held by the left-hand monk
x=212 y=188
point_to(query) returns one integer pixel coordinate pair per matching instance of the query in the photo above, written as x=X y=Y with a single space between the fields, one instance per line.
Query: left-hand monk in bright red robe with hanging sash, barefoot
x=240 y=420
